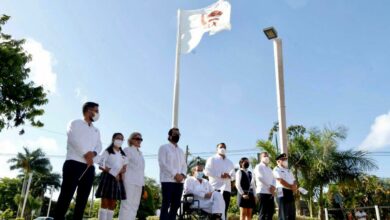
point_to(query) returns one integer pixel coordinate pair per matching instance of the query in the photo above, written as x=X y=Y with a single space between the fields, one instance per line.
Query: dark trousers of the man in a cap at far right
x=286 y=205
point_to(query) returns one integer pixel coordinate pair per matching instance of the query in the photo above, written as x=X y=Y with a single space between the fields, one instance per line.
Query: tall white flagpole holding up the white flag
x=176 y=86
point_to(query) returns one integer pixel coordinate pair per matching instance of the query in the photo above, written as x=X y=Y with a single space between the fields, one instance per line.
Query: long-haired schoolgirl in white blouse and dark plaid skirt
x=113 y=164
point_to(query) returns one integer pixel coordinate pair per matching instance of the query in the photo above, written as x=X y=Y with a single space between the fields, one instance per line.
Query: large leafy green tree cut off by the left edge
x=20 y=99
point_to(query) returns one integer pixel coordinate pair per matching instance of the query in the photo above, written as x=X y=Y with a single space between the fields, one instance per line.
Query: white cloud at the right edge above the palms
x=379 y=136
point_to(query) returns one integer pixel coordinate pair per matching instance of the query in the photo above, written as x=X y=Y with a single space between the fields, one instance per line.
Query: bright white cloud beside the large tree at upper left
x=41 y=65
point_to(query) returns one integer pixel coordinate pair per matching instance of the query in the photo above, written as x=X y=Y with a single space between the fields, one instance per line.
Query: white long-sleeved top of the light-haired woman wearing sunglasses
x=135 y=172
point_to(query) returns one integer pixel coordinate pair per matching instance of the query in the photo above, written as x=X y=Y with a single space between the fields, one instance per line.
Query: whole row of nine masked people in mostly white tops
x=122 y=177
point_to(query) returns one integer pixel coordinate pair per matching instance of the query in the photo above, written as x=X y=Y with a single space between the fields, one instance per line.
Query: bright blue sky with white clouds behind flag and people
x=121 y=54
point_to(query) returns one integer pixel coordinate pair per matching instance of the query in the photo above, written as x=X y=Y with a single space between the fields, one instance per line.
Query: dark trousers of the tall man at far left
x=71 y=172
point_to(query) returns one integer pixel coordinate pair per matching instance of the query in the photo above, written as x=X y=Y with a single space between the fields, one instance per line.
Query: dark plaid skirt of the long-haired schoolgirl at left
x=110 y=188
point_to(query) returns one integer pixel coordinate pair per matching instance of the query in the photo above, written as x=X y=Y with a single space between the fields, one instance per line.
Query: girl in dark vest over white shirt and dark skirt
x=245 y=187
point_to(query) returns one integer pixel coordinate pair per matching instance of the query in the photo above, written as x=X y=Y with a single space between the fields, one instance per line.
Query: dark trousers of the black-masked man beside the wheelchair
x=171 y=193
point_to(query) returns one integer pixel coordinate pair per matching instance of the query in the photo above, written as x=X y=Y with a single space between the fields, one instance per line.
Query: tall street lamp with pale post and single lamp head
x=271 y=34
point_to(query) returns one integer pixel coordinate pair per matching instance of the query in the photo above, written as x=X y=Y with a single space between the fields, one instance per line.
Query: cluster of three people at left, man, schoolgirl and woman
x=122 y=177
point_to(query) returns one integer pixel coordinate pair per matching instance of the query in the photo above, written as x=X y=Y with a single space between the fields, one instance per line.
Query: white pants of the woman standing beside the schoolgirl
x=129 y=207
